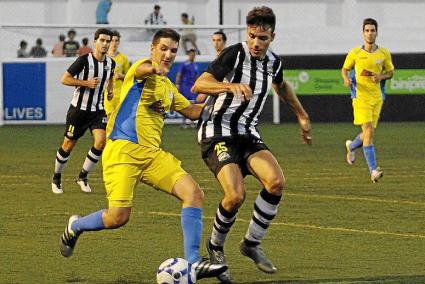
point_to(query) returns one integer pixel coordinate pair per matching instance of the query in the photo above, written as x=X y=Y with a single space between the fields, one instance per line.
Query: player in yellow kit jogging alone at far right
x=372 y=66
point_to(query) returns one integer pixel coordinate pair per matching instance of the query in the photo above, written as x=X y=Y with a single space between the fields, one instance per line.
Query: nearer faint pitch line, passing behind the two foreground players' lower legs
x=305 y=226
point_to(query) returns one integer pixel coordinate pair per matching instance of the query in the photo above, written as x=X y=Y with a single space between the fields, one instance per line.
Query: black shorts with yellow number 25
x=217 y=152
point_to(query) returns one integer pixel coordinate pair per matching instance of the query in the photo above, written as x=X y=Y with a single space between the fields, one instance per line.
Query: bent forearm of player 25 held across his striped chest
x=208 y=84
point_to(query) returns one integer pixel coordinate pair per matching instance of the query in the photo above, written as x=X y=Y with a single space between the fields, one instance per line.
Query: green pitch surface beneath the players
x=333 y=225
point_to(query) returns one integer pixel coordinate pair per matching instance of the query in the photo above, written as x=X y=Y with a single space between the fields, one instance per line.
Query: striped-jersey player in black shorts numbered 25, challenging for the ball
x=230 y=142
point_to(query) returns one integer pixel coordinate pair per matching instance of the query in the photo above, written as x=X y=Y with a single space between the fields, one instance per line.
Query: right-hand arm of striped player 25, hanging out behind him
x=287 y=93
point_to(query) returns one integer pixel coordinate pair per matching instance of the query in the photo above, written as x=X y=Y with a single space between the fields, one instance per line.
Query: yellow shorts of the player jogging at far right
x=366 y=111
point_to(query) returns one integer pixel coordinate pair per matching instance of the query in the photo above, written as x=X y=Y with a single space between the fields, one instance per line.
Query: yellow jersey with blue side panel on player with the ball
x=139 y=117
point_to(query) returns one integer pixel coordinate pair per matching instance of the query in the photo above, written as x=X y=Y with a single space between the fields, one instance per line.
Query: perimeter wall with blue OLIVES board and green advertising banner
x=33 y=94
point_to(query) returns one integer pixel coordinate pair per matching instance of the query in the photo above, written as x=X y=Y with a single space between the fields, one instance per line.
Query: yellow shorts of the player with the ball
x=126 y=163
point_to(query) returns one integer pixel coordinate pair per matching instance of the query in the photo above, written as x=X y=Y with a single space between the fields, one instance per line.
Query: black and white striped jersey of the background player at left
x=85 y=67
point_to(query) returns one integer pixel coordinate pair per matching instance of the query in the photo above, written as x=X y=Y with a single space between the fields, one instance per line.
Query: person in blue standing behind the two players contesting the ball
x=185 y=78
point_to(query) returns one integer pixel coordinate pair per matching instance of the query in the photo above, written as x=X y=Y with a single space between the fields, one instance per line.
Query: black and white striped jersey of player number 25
x=225 y=115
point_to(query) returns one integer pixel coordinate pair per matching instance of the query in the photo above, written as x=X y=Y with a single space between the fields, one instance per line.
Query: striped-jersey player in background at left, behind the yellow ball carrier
x=90 y=74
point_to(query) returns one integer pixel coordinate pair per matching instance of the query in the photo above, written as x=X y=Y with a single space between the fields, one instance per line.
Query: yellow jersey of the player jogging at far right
x=366 y=64
